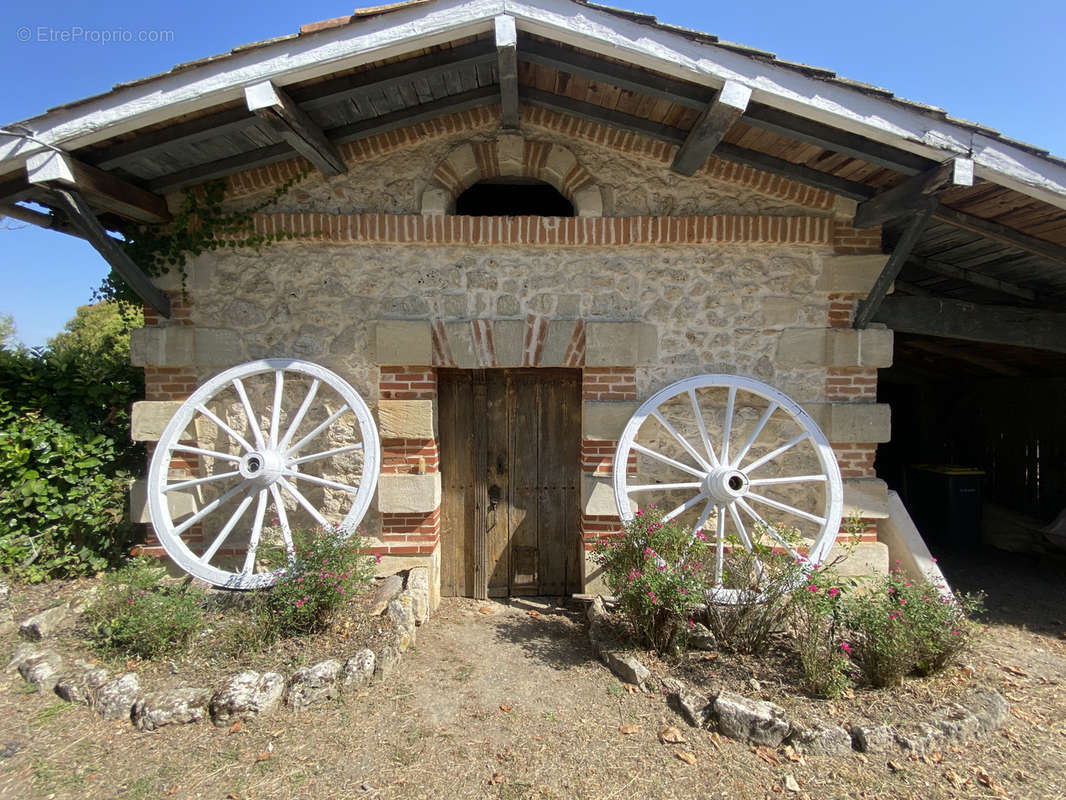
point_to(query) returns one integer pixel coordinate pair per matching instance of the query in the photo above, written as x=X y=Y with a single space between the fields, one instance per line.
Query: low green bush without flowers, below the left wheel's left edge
x=140 y=615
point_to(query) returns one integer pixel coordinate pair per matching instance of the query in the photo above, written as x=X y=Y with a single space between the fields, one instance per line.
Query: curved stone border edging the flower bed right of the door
x=760 y=723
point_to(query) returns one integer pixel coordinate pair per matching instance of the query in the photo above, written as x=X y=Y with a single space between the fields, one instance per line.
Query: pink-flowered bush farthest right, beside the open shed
x=901 y=627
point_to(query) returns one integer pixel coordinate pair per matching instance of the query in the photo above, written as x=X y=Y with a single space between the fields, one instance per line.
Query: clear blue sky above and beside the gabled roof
x=1000 y=65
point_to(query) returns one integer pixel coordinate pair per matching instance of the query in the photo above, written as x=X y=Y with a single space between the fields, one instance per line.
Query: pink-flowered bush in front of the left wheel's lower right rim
x=328 y=571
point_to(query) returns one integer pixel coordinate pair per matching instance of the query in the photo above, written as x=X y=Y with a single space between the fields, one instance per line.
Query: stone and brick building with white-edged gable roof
x=732 y=214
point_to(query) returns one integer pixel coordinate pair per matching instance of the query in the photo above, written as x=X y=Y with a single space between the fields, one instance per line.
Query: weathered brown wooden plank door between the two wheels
x=511 y=471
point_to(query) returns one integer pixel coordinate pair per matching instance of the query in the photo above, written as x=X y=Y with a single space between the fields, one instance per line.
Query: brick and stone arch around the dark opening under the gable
x=512 y=155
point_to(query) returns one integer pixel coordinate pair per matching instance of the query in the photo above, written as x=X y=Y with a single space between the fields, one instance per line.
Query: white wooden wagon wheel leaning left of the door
x=280 y=433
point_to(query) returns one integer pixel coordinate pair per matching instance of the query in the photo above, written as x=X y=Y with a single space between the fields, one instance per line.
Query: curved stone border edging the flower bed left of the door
x=241 y=697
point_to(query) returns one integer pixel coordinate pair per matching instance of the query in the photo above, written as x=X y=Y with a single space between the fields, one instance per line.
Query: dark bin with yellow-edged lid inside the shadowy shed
x=945 y=503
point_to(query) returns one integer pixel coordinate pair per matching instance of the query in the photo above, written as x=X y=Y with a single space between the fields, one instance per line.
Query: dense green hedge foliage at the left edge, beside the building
x=66 y=454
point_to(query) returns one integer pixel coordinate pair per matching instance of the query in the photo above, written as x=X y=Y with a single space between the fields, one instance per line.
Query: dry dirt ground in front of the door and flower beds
x=498 y=702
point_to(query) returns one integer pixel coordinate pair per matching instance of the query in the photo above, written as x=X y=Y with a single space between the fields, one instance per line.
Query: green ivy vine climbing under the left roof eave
x=201 y=226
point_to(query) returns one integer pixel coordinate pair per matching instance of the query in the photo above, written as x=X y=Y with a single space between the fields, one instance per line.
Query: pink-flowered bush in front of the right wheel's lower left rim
x=655 y=569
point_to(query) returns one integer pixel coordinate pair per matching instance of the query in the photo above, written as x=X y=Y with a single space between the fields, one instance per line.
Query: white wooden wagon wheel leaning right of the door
x=740 y=452
